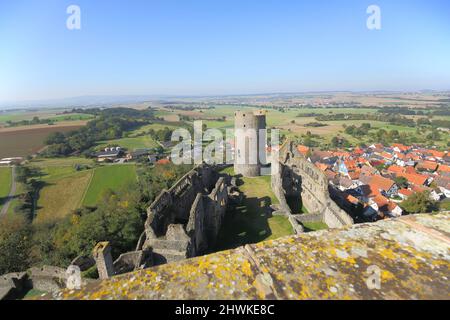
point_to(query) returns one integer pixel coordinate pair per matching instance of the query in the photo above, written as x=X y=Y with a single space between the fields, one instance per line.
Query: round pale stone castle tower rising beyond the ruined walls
x=249 y=141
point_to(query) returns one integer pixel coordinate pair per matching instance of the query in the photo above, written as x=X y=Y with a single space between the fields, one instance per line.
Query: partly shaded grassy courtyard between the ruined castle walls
x=250 y=223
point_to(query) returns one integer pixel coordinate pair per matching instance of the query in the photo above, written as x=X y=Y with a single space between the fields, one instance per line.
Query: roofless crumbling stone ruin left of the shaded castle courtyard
x=184 y=221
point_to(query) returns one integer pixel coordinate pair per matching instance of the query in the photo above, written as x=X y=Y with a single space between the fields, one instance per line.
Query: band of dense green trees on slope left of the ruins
x=118 y=218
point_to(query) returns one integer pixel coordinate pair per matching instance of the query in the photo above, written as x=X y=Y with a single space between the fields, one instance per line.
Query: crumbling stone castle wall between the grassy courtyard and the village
x=294 y=176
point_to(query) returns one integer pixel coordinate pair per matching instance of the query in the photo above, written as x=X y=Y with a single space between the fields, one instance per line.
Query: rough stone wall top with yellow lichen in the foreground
x=412 y=254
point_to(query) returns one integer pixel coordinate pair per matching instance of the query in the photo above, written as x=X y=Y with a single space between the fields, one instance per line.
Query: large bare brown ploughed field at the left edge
x=24 y=141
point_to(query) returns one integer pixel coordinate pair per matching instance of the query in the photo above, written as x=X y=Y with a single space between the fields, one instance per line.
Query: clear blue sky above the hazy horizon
x=220 y=47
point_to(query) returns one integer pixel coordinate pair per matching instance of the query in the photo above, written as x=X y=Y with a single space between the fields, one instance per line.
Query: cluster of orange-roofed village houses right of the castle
x=366 y=176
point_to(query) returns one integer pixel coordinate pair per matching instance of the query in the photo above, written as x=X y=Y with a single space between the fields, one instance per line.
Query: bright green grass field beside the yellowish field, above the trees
x=111 y=177
